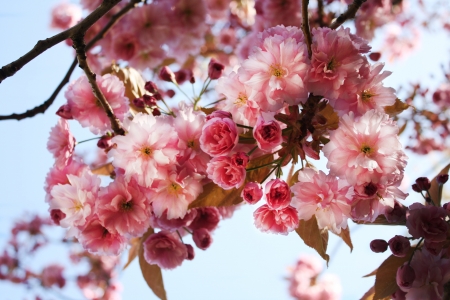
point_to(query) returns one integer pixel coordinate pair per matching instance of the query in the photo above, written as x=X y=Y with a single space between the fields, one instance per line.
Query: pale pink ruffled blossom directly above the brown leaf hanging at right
x=323 y=196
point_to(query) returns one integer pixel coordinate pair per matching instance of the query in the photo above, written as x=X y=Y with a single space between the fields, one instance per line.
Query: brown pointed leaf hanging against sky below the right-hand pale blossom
x=314 y=237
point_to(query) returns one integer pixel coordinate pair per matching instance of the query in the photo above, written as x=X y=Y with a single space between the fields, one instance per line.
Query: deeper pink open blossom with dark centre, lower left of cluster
x=123 y=208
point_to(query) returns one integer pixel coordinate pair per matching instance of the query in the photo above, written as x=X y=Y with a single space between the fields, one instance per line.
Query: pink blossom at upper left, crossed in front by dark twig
x=87 y=110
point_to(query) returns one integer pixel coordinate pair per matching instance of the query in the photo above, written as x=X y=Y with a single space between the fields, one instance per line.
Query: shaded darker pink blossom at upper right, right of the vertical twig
x=335 y=63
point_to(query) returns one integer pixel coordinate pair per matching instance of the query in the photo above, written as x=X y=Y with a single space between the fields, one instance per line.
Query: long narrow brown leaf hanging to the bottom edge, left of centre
x=152 y=273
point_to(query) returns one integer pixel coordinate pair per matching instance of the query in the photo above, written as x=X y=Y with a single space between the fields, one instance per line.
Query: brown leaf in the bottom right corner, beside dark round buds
x=385 y=283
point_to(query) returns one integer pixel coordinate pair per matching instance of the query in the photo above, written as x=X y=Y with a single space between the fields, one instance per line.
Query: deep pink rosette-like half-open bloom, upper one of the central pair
x=219 y=136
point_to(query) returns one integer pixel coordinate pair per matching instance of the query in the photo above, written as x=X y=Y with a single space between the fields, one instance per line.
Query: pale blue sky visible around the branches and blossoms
x=242 y=263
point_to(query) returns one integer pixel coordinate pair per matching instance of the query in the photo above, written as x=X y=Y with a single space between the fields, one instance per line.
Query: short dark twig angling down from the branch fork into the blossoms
x=80 y=48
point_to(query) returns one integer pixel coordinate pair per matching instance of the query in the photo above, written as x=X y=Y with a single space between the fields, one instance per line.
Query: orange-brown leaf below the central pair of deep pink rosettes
x=213 y=195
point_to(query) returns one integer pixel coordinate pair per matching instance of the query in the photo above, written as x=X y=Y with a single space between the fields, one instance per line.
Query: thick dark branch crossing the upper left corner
x=43 y=45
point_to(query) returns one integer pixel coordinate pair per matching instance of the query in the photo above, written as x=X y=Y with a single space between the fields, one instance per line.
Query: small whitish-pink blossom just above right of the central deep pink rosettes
x=241 y=100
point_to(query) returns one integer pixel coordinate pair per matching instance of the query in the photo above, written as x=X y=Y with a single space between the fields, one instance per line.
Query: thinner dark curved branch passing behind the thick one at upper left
x=40 y=109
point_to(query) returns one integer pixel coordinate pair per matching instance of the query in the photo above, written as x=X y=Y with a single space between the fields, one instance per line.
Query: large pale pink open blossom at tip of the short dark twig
x=148 y=151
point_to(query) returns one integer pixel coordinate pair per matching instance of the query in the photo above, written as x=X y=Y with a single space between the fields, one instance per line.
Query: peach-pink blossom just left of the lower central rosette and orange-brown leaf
x=174 y=193
